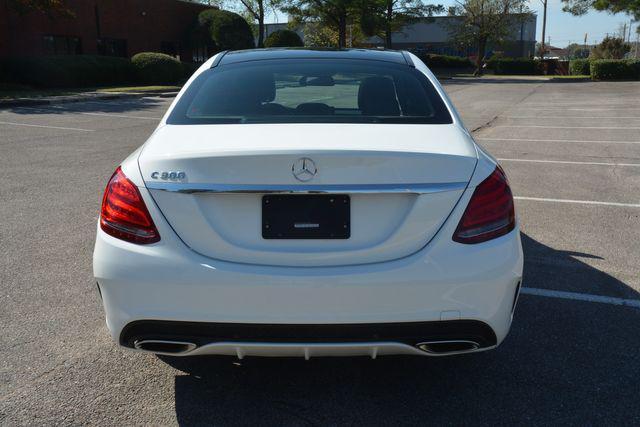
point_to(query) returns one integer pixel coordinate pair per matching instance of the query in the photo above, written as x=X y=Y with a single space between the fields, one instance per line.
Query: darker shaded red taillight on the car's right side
x=490 y=212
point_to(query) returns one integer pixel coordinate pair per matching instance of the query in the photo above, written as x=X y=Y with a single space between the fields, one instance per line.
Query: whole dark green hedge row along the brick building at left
x=59 y=71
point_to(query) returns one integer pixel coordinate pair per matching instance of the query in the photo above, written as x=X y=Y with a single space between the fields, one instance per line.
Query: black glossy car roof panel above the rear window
x=236 y=56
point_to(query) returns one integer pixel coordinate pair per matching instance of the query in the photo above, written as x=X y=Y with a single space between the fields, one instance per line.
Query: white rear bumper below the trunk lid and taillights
x=443 y=282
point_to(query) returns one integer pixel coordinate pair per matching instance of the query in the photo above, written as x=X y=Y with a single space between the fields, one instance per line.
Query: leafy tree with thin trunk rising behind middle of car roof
x=335 y=14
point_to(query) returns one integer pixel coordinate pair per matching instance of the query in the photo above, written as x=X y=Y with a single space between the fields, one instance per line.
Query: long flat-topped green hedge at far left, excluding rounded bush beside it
x=68 y=71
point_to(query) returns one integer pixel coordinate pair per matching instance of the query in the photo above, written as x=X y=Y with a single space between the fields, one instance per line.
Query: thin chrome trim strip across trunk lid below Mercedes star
x=190 y=188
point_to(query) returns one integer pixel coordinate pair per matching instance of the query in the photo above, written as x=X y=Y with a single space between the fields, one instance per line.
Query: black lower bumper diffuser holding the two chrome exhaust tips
x=198 y=338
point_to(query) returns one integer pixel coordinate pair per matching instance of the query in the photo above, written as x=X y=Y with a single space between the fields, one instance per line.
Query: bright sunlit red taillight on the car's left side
x=124 y=214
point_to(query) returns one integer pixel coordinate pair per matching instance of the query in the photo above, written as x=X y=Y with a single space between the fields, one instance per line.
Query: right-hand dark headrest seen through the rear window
x=377 y=97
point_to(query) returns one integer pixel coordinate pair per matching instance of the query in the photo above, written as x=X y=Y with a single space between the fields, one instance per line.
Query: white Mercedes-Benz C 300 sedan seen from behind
x=309 y=203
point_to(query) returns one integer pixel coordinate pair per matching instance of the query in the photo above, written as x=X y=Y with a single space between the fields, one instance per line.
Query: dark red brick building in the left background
x=104 y=27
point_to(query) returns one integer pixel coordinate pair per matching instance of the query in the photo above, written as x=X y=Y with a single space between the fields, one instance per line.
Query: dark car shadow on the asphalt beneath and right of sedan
x=564 y=361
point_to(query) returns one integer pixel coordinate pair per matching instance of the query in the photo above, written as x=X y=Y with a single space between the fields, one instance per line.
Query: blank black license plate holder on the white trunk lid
x=326 y=216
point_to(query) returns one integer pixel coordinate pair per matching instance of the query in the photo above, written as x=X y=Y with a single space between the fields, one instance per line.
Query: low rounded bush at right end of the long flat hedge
x=157 y=68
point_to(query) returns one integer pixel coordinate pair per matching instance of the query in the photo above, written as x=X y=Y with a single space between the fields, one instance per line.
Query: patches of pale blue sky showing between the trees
x=562 y=27
